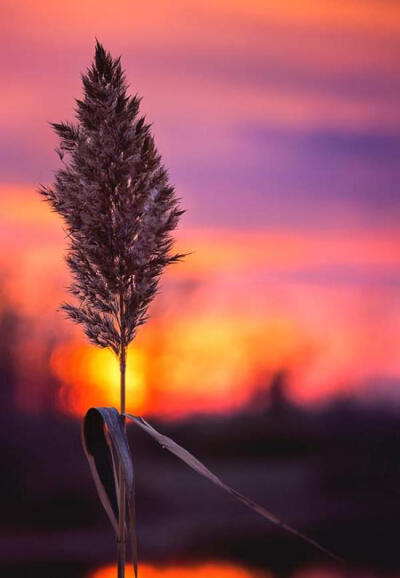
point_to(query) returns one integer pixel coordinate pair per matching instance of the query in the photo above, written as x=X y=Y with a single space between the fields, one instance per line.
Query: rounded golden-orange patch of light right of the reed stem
x=222 y=357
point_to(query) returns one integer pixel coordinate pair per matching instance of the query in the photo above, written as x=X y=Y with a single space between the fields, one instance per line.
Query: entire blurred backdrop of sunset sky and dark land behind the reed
x=272 y=351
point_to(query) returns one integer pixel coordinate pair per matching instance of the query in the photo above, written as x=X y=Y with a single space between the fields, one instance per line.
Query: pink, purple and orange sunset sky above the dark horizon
x=280 y=125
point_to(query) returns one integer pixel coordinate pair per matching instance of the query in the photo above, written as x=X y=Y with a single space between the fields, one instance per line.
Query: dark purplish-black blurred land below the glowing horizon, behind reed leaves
x=333 y=475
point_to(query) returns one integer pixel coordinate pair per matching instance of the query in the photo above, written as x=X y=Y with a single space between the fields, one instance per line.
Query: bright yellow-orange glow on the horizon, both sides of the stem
x=204 y=363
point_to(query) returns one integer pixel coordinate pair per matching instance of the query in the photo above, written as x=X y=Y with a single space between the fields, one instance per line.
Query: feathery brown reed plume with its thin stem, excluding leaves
x=119 y=210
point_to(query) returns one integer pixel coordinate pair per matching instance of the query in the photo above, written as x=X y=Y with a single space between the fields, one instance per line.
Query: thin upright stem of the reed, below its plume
x=122 y=489
